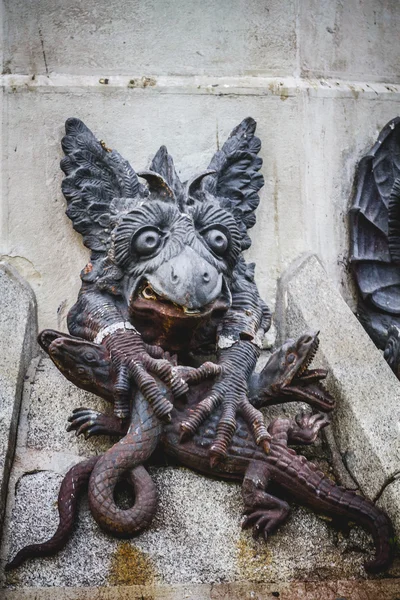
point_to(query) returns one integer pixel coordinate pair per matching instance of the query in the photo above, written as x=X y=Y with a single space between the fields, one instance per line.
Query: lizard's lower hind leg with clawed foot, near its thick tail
x=263 y=511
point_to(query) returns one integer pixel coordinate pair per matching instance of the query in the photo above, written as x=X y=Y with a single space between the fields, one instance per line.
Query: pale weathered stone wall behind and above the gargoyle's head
x=320 y=77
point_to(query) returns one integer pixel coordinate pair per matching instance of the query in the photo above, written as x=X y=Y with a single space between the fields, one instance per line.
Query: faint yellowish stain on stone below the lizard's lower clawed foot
x=253 y=559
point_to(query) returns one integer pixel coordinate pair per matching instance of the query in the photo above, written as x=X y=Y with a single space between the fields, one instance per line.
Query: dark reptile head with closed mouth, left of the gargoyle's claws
x=86 y=364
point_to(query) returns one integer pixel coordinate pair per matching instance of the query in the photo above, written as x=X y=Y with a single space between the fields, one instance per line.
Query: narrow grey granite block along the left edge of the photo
x=17 y=346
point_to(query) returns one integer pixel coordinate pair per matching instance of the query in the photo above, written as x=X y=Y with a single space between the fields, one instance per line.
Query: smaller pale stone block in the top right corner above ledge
x=353 y=39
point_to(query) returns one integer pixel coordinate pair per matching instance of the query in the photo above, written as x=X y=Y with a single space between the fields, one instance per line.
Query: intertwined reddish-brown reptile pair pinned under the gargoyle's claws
x=245 y=460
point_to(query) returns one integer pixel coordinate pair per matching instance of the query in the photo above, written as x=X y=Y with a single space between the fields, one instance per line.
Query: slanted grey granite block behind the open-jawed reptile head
x=367 y=418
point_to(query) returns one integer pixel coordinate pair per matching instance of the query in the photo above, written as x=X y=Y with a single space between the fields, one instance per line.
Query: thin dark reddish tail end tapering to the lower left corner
x=72 y=483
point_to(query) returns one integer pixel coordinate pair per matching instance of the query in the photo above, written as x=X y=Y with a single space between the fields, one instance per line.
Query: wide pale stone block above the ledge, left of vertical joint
x=151 y=37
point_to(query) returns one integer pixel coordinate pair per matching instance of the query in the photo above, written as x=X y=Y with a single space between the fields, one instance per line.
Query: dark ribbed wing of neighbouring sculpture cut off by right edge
x=374 y=222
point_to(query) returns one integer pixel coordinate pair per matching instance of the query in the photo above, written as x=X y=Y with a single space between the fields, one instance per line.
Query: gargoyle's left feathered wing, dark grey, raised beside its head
x=97 y=186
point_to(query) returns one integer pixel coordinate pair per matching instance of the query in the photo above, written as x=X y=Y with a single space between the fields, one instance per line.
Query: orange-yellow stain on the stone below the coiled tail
x=130 y=566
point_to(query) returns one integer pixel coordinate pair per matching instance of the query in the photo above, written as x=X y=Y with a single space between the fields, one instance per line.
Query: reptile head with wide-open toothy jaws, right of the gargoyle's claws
x=287 y=373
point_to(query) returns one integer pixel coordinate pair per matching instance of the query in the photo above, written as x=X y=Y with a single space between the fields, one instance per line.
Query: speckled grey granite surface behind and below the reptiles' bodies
x=195 y=537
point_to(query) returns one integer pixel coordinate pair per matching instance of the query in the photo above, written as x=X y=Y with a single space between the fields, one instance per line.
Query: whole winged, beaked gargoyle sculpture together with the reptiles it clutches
x=166 y=285
